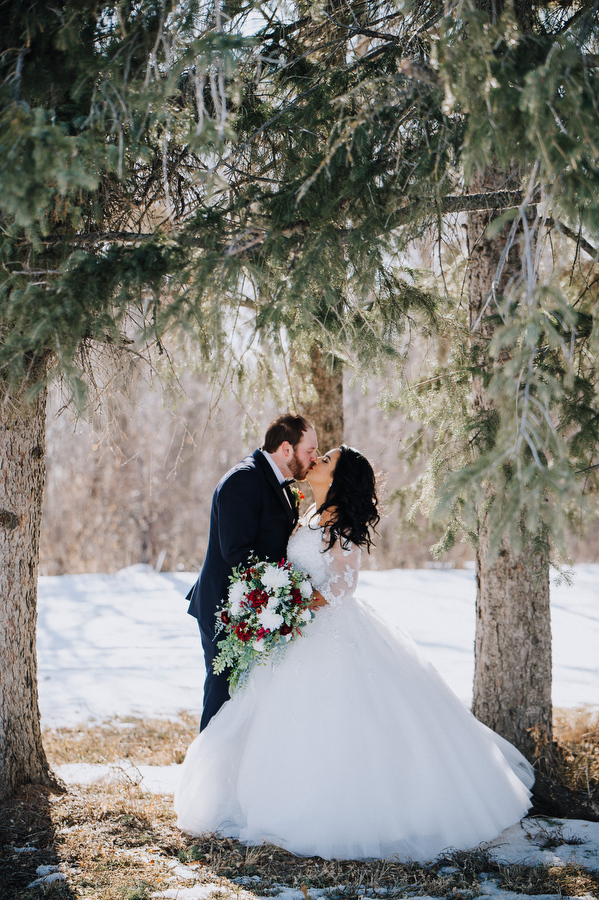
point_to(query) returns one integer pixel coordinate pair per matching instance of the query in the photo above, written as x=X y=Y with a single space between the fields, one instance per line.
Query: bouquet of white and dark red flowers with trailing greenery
x=266 y=607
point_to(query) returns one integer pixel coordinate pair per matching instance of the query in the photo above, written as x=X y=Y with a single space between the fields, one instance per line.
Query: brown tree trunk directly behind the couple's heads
x=326 y=411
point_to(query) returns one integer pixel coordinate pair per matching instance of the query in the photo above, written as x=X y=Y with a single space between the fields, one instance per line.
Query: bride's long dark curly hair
x=351 y=501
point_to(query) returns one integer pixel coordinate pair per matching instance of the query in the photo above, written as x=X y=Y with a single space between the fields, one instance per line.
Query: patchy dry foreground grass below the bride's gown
x=117 y=843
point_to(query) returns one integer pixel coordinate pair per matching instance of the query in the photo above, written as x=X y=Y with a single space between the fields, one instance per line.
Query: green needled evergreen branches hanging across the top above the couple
x=358 y=126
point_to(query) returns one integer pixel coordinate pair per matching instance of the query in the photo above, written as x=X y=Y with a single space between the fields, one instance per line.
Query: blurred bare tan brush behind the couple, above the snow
x=133 y=482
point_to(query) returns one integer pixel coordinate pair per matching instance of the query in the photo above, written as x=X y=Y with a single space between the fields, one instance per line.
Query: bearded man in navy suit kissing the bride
x=253 y=511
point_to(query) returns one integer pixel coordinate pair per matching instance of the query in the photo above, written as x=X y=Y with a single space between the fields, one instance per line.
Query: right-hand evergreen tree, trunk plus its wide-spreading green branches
x=364 y=126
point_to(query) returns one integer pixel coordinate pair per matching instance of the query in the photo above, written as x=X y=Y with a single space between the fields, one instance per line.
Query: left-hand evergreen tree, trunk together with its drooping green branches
x=108 y=113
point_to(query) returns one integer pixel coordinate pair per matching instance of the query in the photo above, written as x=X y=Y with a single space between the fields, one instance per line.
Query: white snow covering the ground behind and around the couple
x=123 y=645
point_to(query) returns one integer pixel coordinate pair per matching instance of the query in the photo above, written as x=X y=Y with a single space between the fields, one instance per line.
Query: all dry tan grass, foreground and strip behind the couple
x=113 y=842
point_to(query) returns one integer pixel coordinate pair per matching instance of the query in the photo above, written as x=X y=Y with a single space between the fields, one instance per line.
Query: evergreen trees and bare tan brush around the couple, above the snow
x=166 y=187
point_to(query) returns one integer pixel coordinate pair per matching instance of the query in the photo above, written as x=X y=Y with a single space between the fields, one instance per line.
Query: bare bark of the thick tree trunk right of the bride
x=512 y=677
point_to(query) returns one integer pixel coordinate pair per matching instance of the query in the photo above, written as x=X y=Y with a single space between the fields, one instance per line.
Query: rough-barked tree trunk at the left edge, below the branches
x=22 y=468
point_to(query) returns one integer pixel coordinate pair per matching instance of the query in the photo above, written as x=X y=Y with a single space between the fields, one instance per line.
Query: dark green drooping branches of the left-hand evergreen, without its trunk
x=108 y=116
